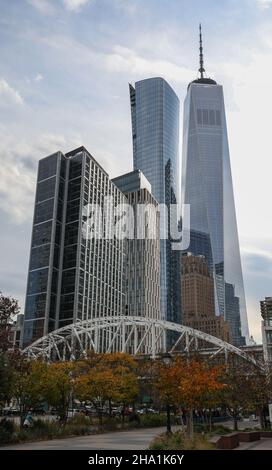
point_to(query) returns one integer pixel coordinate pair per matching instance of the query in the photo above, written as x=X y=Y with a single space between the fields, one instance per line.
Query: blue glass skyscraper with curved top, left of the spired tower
x=155 y=133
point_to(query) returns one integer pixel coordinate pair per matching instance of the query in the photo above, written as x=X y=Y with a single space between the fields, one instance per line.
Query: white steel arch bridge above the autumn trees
x=134 y=335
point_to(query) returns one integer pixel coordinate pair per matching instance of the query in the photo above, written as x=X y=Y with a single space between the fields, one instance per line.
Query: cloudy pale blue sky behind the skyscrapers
x=65 y=66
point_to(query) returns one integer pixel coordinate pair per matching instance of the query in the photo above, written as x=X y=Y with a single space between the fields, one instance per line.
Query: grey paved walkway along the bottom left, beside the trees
x=124 y=440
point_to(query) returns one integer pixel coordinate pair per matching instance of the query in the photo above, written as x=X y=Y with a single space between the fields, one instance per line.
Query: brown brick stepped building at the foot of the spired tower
x=198 y=310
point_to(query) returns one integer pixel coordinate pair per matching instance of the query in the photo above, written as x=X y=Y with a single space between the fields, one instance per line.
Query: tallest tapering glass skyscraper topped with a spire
x=207 y=187
